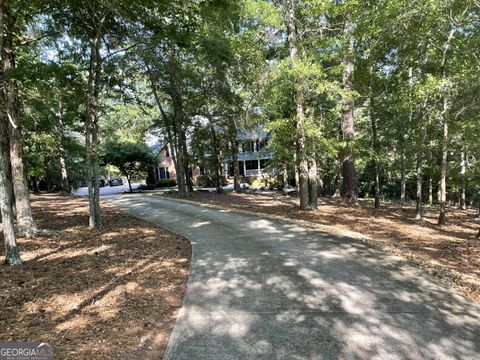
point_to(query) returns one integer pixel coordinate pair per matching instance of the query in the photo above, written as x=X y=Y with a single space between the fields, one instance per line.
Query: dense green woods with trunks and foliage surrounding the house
x=361 y=99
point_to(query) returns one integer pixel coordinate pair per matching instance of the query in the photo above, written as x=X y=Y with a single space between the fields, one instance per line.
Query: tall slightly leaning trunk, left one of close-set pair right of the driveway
x=301 y=153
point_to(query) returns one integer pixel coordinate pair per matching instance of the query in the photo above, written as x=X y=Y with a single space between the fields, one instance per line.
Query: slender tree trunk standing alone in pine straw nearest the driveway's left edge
x=91 y=132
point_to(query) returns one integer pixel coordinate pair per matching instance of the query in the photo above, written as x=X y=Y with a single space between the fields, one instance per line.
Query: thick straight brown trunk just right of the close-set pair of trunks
x=349 y=188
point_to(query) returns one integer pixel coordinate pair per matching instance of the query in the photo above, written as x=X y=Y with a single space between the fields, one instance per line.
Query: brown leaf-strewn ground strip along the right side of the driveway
x=450 y=253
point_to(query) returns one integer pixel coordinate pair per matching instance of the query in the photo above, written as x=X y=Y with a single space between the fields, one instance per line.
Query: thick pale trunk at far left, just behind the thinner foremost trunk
x=25 y=224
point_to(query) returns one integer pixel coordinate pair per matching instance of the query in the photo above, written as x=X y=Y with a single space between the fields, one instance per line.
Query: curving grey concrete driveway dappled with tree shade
x=267 y=289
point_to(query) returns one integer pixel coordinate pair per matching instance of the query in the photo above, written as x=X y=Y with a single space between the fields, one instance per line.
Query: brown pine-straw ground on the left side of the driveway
x=108 y=293
